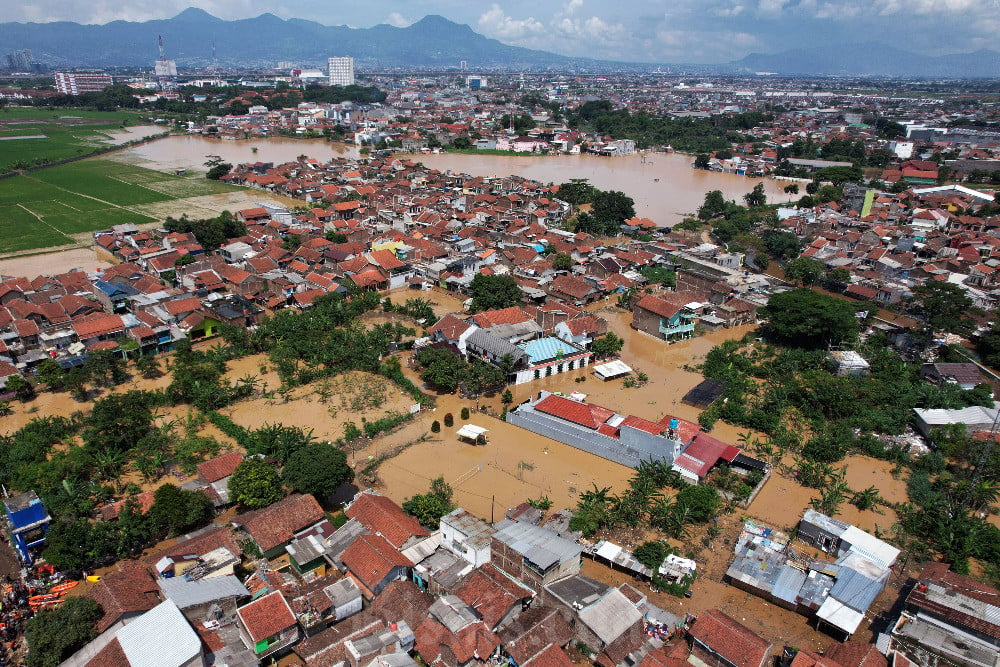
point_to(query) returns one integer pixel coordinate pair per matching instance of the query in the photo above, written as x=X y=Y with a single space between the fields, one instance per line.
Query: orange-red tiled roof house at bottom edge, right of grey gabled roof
x=719 y=639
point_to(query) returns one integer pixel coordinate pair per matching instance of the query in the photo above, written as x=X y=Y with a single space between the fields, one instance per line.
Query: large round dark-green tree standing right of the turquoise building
x=804 y=318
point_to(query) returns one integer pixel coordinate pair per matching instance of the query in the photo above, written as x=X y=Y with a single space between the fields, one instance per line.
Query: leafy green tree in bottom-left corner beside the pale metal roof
x=53 y=635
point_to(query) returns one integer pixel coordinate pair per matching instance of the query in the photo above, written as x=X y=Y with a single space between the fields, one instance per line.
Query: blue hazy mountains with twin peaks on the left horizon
x=188 y=38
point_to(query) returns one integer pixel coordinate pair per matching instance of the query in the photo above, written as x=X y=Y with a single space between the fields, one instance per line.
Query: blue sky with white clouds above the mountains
x=663 y=31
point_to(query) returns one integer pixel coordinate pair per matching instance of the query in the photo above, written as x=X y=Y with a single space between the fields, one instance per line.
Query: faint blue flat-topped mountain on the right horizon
x=872 y=59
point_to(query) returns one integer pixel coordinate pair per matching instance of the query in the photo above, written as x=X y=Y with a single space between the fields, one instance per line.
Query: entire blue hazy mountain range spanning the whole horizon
x=434 y=41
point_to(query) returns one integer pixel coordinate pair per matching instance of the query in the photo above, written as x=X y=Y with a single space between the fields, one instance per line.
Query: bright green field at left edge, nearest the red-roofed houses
x=62 y=205
